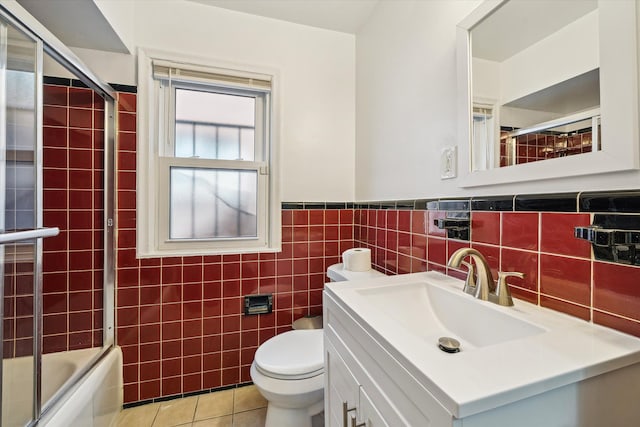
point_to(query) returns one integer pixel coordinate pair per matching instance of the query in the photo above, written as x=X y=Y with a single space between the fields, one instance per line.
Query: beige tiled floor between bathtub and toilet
x=240 y=407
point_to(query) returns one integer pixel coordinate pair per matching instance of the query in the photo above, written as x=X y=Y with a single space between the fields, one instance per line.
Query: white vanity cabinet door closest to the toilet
x=341 y=387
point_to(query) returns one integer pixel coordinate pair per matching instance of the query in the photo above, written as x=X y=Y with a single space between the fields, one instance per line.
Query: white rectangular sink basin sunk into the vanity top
x=431 y=311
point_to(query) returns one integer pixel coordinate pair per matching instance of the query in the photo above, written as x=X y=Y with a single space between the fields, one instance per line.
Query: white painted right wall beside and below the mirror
x=406 y=108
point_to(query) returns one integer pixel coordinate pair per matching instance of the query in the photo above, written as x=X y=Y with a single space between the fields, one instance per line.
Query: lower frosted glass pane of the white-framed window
x=212 y=203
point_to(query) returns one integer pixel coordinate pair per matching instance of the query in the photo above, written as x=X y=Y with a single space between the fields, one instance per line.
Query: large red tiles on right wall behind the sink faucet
x=559 y=271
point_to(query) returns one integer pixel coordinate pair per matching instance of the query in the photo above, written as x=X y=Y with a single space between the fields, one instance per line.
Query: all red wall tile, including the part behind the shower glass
x=179 y=319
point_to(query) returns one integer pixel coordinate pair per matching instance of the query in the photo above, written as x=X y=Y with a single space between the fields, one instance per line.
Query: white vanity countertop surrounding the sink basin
x=473 y=381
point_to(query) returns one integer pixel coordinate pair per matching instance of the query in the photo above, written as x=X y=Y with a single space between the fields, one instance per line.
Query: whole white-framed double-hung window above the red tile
x=207 y=157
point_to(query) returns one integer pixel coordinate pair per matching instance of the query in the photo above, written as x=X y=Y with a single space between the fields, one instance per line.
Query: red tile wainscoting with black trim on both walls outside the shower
x=180 y=321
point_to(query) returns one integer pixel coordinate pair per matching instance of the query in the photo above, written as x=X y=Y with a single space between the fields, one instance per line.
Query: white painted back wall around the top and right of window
x=317 y=83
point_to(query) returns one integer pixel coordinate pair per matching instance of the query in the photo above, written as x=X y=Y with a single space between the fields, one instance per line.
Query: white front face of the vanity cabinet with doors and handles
x=374 y=386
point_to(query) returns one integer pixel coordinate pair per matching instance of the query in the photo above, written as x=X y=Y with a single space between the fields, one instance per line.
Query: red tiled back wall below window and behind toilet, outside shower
x=180 y=320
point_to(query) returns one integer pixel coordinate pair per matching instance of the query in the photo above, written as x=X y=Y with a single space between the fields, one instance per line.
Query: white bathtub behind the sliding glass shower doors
x=94 y=400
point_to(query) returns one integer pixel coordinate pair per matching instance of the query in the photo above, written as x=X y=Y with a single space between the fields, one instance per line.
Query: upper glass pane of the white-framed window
x=214 y=125
